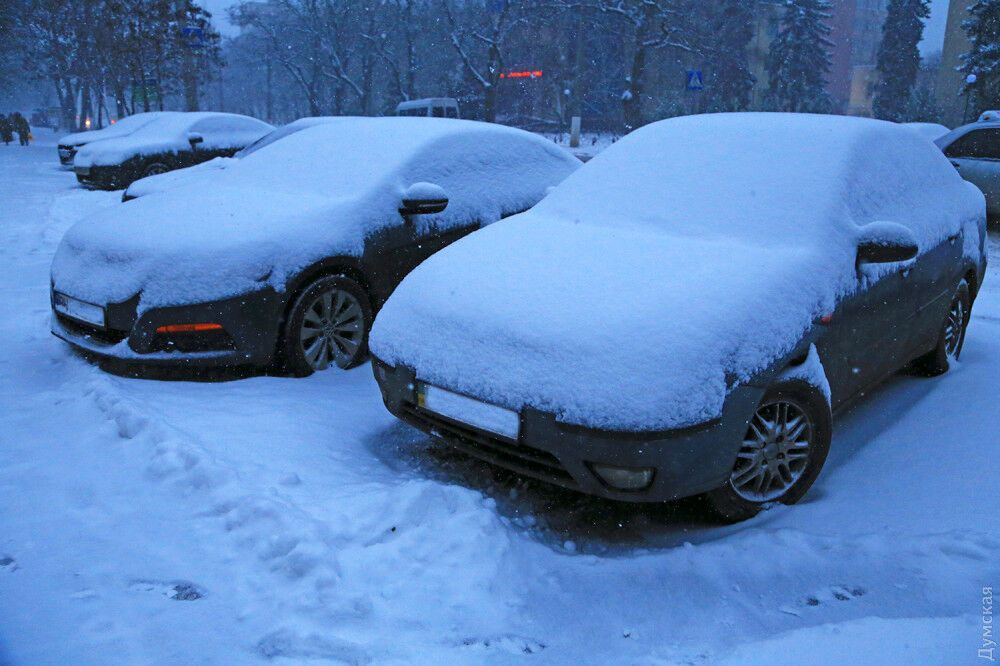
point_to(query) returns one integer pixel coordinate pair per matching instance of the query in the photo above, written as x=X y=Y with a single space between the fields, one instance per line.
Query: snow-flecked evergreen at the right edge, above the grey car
x=983 y=29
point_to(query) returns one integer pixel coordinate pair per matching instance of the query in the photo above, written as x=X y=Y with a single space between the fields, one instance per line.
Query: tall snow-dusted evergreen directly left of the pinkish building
x=799 y=59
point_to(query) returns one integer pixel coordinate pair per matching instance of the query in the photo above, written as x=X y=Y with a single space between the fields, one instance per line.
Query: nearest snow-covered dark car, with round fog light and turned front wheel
x=683 y=314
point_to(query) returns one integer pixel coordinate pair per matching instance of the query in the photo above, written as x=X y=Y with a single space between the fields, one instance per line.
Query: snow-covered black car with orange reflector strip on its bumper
x=285 y=255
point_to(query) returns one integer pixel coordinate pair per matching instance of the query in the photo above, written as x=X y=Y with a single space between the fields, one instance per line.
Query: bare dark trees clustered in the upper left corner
x=136 y=53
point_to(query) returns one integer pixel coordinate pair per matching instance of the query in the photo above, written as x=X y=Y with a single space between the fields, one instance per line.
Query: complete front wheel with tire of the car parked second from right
x=328 y=324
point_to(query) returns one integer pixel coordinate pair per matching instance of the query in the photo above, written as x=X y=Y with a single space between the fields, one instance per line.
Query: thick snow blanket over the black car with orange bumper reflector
x=315 y=194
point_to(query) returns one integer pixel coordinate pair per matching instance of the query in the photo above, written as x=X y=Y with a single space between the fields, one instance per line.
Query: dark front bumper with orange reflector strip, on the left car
x=248 y=337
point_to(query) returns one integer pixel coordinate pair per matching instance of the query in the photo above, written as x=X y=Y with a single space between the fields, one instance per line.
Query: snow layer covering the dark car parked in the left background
x=168 y=132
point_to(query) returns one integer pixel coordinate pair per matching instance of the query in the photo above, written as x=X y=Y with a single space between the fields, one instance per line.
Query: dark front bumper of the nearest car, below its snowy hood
x=687 y=461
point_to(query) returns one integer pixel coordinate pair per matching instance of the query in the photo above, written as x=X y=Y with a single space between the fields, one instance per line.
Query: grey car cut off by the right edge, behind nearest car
x=974 y=150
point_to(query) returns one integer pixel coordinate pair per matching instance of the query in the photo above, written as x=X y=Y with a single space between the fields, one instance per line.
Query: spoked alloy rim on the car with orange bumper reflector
x=332 y=329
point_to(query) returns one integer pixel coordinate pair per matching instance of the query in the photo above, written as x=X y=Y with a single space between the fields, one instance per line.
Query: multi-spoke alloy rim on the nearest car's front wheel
x=775 y=451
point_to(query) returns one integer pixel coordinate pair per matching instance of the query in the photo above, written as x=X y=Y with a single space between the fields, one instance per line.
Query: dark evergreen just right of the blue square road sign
x=730 y=81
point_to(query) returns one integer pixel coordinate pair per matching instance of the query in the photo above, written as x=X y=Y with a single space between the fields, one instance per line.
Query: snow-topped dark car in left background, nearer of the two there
x=172 y=140
